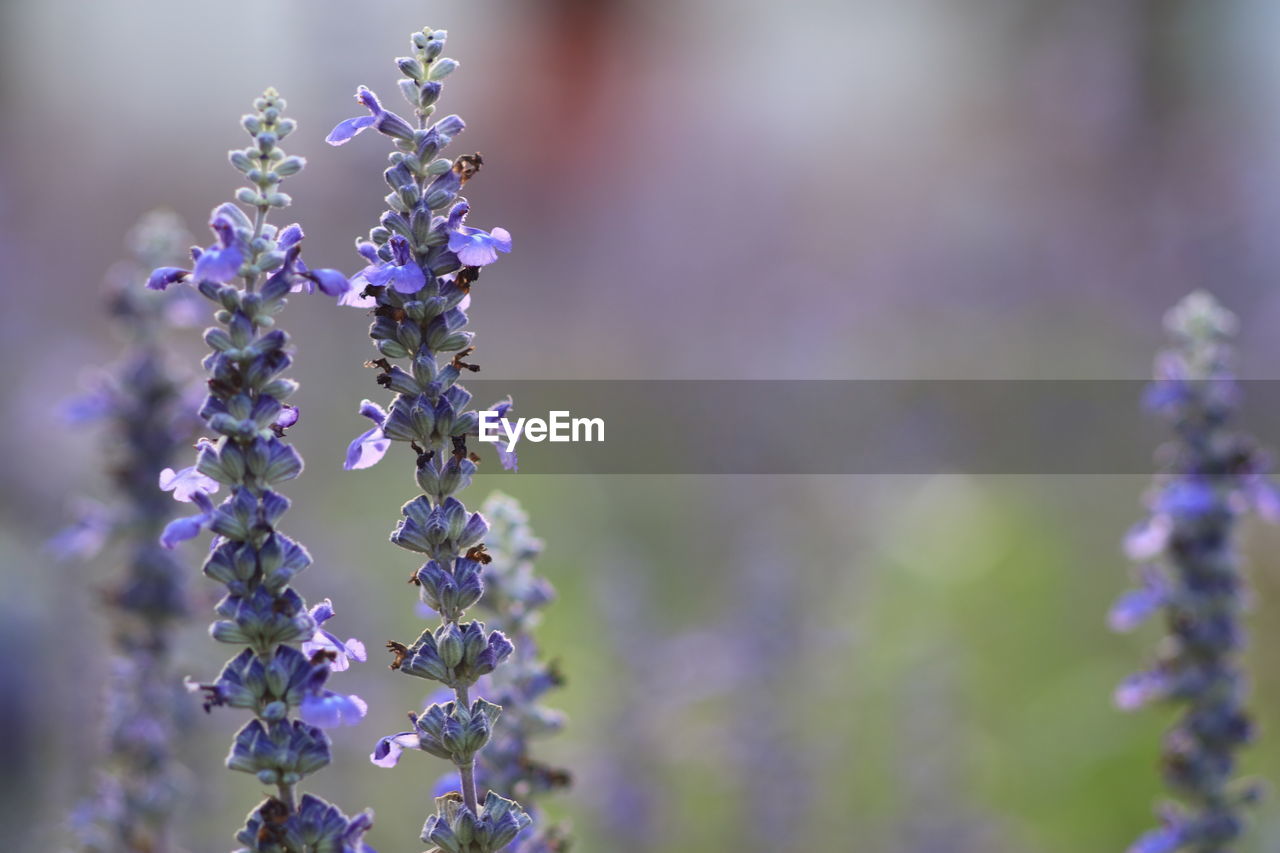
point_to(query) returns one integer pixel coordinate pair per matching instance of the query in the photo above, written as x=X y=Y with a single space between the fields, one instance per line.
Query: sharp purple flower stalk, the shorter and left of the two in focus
x=287 y=656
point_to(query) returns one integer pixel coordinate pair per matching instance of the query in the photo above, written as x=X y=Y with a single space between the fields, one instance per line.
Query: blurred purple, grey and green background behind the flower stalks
x=710 y=189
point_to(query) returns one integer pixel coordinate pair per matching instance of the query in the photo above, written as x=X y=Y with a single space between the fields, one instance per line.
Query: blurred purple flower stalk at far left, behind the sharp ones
x=139 y=782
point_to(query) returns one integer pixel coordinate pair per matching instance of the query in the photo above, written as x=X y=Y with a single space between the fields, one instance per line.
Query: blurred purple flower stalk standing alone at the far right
x=1191 y=572
